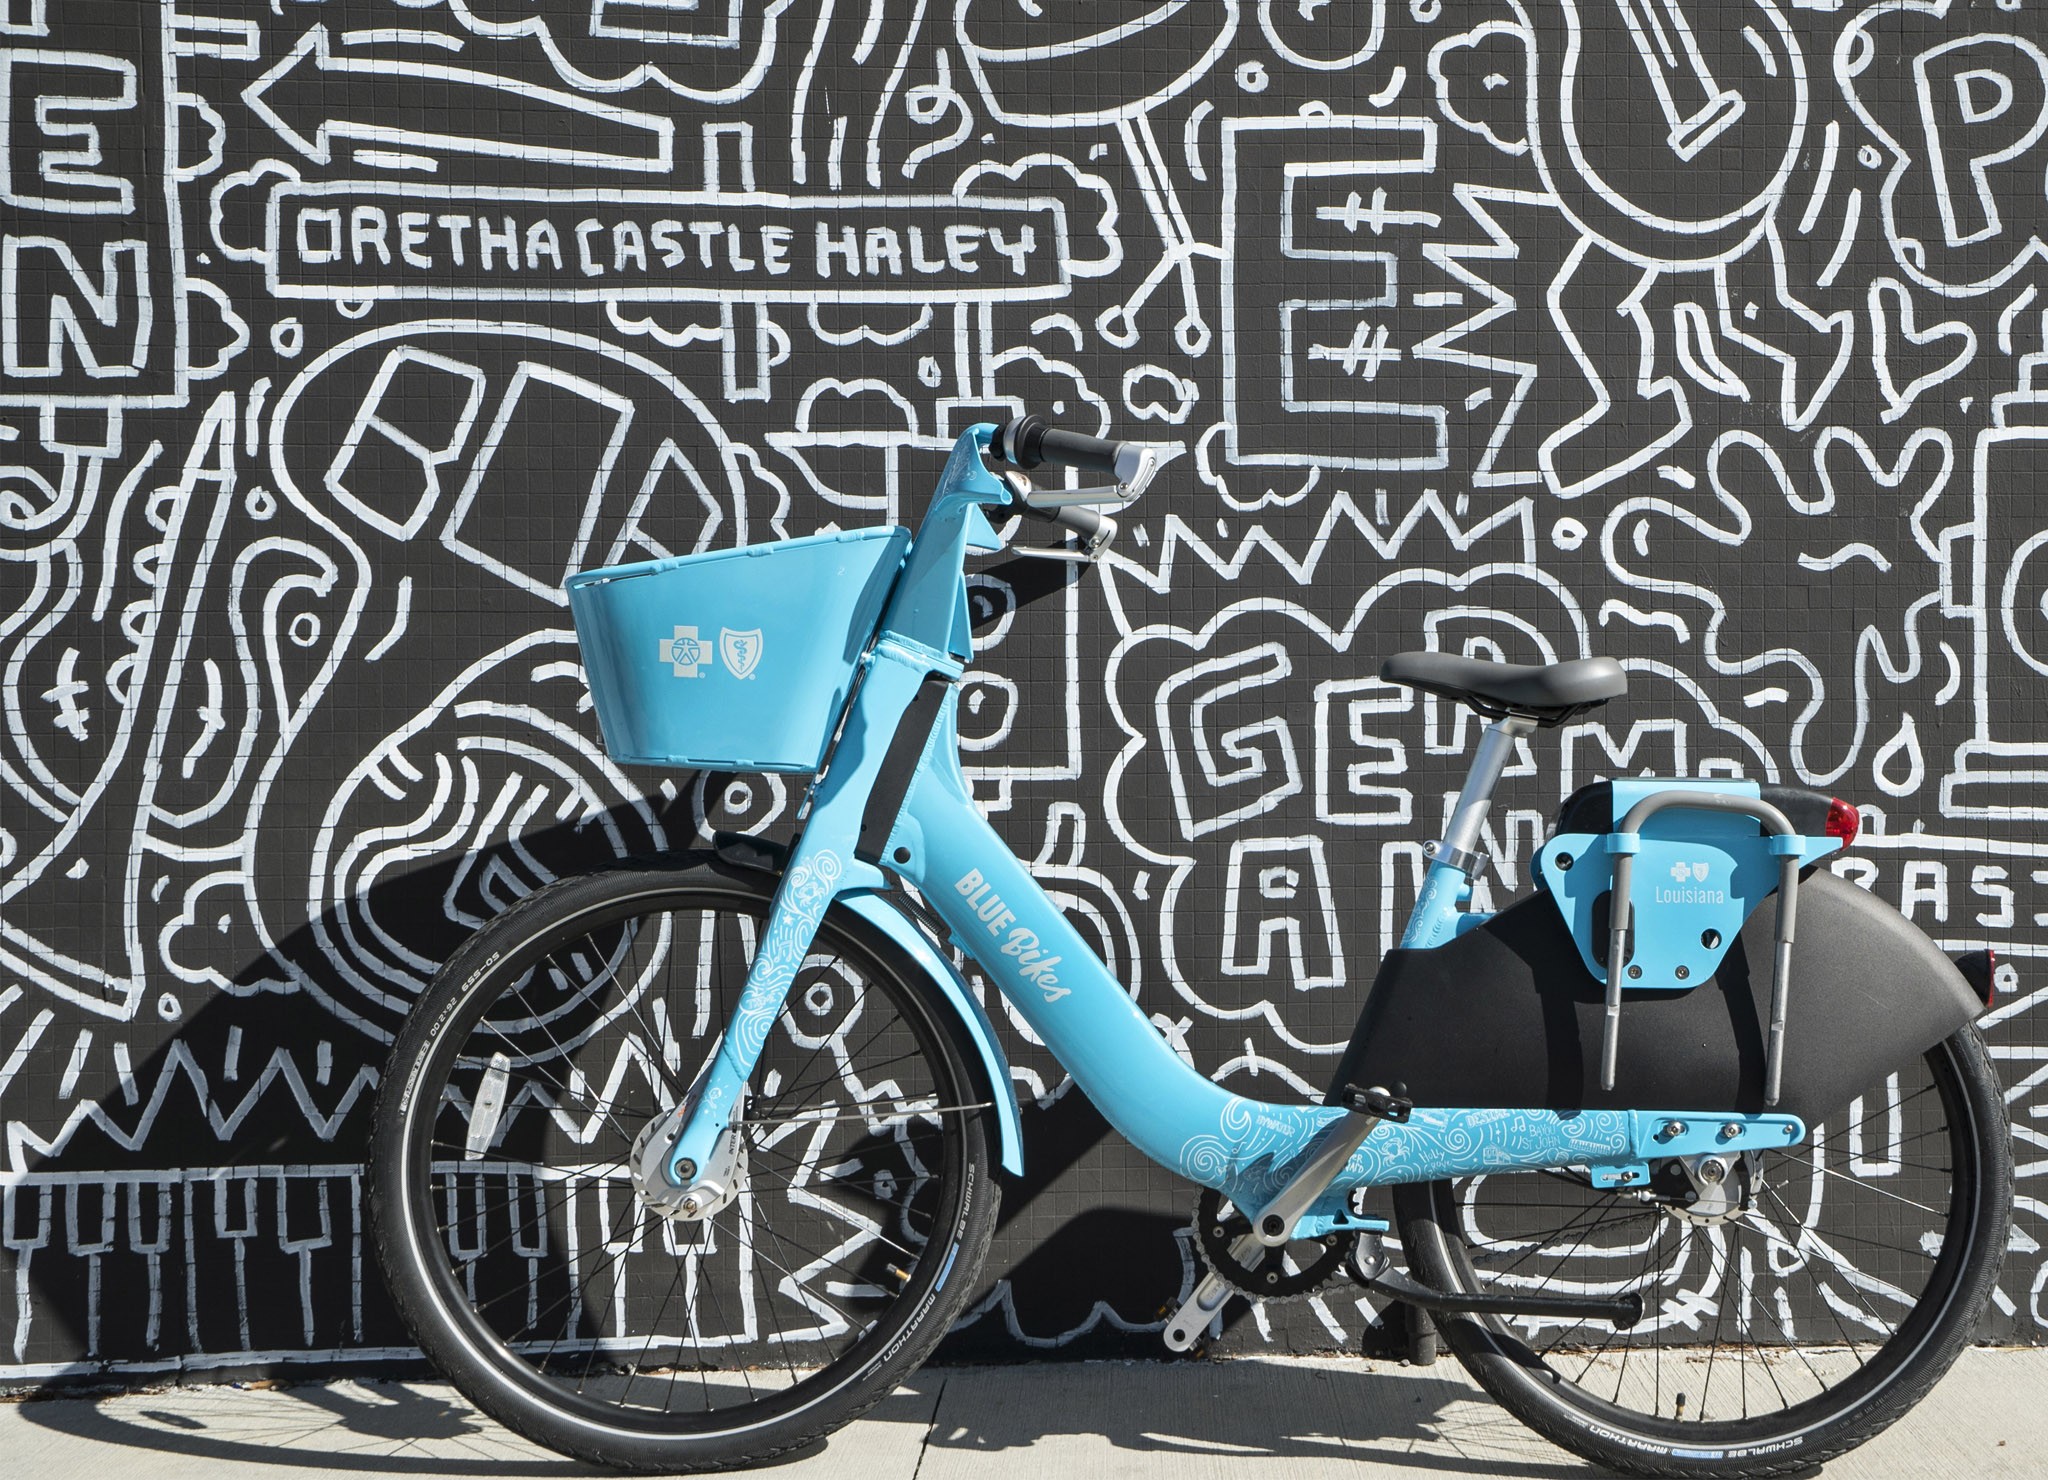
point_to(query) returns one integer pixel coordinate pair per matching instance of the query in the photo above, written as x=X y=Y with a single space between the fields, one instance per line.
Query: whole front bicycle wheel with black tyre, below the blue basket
x=544 y=1285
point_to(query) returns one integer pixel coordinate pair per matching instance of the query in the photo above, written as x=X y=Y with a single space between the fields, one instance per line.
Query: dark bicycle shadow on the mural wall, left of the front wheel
x=208 y=1215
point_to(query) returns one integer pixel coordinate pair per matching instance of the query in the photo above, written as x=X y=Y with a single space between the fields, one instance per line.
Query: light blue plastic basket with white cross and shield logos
x=736 y=660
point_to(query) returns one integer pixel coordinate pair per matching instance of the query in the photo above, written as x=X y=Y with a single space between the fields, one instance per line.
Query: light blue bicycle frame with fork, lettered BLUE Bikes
x=935 y=838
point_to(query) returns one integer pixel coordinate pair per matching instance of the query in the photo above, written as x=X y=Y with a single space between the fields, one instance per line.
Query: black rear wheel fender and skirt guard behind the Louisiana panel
x=1508 y=1016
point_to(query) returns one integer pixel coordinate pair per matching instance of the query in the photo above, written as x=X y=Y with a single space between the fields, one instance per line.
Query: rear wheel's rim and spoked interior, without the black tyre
x=1768 y=1323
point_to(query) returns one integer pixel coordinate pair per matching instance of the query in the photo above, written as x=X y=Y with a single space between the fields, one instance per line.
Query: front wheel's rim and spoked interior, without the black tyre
x=552 y=1270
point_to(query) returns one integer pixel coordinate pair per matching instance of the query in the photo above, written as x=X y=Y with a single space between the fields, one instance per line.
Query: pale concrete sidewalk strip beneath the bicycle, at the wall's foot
x=1246 y=1420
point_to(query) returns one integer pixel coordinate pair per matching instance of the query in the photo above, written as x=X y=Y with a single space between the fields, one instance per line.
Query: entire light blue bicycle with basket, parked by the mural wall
x=1697 y=1156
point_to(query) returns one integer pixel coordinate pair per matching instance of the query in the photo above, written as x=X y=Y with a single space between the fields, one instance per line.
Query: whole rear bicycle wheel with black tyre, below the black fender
x=1787 y=1319
